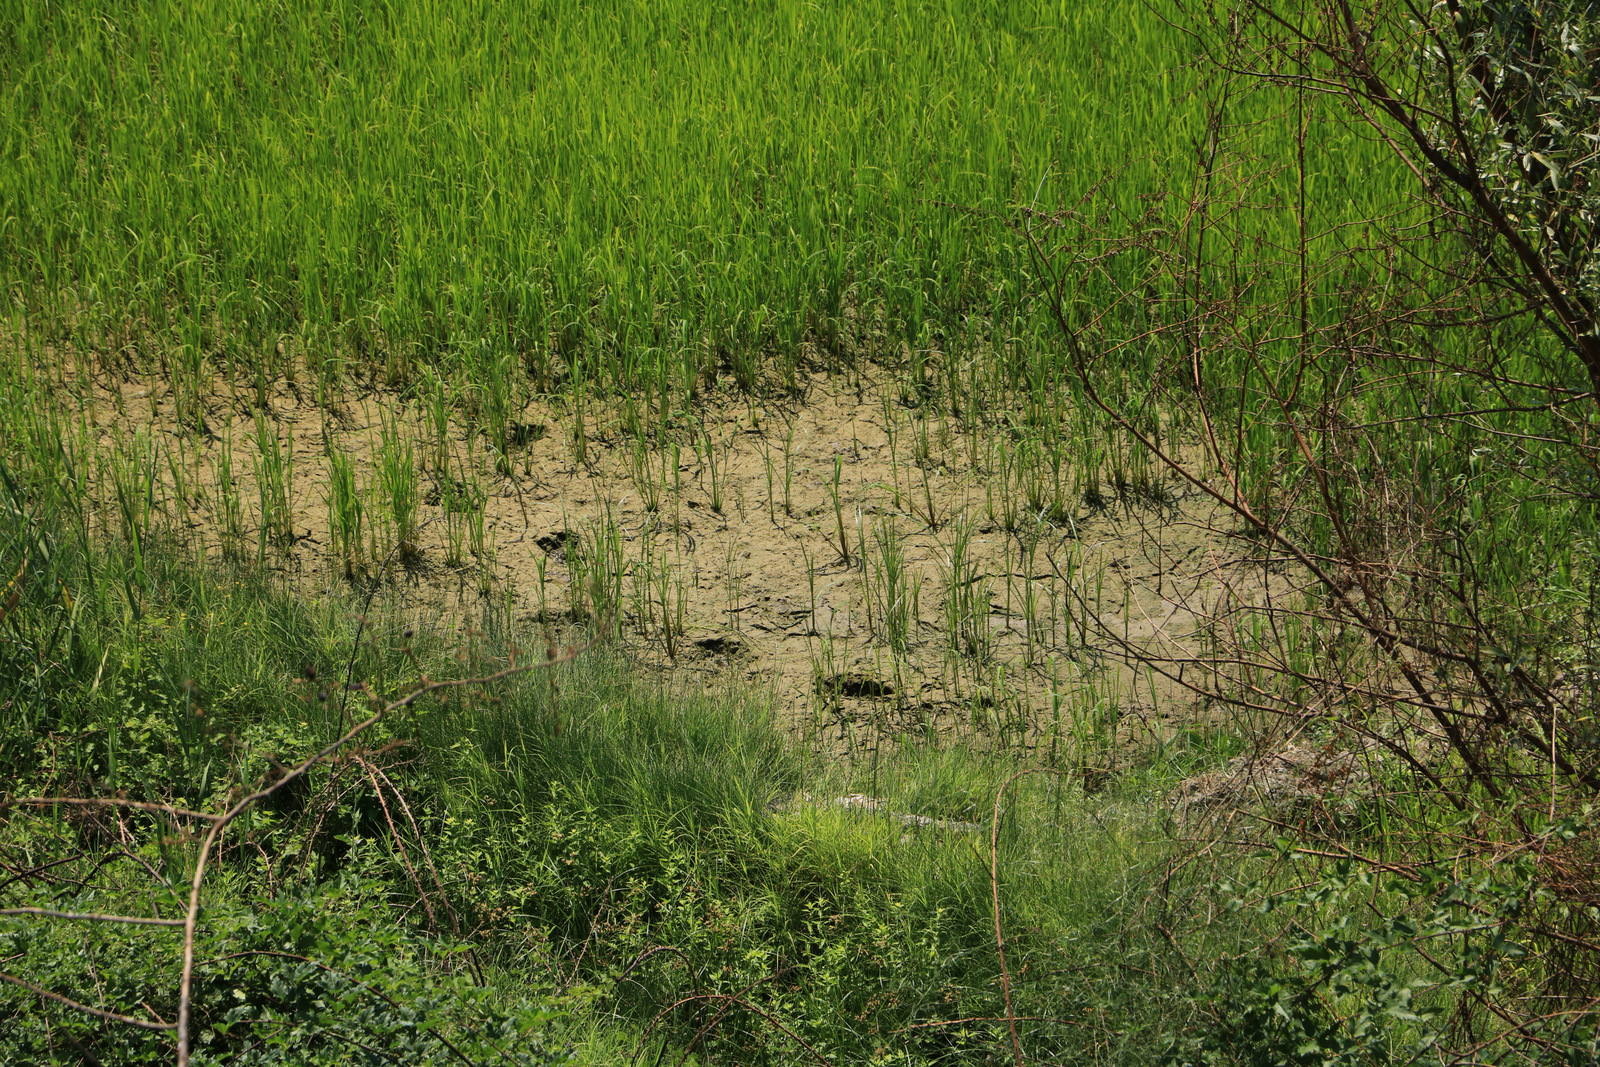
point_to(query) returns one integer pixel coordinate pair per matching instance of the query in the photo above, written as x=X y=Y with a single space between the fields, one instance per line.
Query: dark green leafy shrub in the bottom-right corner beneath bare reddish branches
x=1385 y=970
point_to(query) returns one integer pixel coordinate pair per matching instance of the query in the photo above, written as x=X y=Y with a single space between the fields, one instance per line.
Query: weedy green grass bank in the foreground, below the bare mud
x=574 y=855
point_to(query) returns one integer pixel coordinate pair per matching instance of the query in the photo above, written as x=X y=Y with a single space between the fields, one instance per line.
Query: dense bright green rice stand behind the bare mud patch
x=662 y=190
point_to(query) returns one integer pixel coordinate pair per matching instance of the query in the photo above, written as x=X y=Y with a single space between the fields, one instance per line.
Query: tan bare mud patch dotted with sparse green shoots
x=758 y=559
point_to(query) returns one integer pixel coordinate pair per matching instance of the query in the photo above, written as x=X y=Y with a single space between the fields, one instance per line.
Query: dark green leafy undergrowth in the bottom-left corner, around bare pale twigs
x=316 y=977
